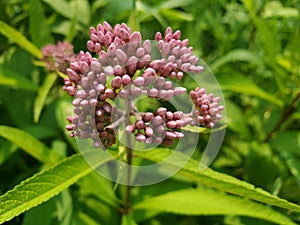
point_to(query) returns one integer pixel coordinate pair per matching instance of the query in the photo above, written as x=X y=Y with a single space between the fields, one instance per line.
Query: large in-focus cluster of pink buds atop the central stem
x=123 y=68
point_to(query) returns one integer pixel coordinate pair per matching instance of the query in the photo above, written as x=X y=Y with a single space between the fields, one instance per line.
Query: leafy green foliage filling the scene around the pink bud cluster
x=253 y=49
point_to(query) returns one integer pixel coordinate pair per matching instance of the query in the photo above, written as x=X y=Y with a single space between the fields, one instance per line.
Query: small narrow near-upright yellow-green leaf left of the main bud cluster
x=42 y=94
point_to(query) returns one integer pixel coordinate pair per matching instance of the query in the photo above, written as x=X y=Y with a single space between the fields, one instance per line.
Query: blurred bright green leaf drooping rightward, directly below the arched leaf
x=240 y=84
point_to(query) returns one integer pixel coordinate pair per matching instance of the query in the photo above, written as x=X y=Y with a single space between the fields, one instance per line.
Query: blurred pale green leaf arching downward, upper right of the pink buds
x=236 y=55
